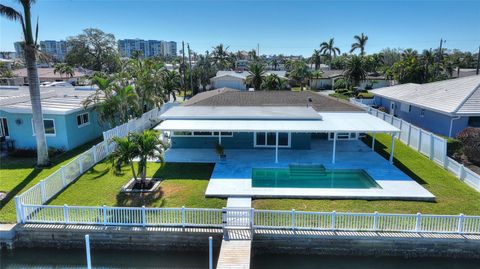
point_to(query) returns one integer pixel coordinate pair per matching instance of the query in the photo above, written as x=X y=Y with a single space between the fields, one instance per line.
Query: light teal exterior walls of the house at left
x=68 y=134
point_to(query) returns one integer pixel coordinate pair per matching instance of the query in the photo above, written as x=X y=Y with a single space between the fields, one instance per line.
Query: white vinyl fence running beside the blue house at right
x=427 y=143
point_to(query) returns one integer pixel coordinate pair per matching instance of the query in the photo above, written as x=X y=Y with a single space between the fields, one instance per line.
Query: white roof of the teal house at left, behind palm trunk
x=60 y=101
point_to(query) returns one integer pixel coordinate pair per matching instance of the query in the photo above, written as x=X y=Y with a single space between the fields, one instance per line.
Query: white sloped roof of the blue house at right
x=453 y=96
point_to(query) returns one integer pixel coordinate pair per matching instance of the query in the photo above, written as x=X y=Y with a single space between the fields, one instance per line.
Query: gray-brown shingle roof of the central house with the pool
x=225 y=97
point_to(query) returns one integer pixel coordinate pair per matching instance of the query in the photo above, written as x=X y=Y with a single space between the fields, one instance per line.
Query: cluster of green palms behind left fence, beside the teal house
x=142 y=84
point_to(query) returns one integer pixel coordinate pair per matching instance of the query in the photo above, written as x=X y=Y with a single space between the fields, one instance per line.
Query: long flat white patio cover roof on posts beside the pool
x=331 y=122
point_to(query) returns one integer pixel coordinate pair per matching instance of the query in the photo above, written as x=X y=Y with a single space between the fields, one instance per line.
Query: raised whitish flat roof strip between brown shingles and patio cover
x=241 y=112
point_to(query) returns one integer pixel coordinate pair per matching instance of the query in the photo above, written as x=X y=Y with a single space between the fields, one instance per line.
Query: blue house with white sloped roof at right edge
x=444 y=107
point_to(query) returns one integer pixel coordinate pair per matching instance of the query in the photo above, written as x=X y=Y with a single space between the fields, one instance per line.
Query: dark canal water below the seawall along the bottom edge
x=54 y=258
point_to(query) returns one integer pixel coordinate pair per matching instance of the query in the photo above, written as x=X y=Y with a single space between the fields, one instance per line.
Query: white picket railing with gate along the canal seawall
x=249 y=217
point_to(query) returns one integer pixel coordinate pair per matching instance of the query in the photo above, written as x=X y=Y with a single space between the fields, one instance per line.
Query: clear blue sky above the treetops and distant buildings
x=287 y=27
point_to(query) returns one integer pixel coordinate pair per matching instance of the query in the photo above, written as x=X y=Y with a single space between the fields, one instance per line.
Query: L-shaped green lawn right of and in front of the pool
x=452 y=195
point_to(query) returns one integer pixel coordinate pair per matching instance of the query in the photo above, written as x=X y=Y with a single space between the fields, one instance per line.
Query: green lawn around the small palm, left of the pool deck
x=184 y=185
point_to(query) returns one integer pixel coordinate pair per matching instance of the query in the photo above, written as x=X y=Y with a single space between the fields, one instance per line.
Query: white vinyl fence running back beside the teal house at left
x=53 y=184
